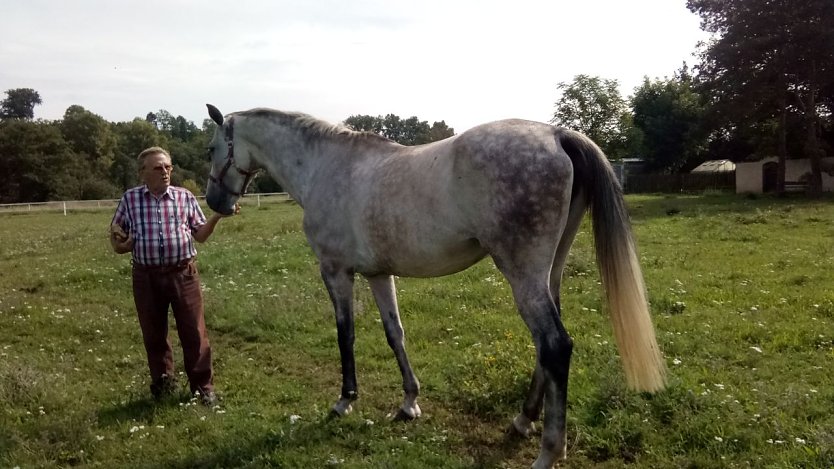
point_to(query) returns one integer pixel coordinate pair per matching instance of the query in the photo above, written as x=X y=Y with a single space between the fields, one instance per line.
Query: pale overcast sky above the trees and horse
x=465 y=62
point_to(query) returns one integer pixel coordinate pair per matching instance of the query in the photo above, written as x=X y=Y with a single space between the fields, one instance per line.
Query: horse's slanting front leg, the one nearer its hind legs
x=385 y=295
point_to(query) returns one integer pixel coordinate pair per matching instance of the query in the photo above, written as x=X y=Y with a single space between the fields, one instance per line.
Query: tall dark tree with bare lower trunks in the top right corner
x=770 y=62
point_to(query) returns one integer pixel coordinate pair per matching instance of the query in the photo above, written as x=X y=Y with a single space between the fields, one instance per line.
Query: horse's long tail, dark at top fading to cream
x=619 y=268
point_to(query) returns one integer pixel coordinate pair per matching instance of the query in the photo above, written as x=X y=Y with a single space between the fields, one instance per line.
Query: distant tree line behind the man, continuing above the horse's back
x=84 y=157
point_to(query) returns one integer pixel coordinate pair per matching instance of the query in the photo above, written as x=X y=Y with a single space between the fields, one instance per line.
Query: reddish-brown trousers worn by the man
x=154 y=290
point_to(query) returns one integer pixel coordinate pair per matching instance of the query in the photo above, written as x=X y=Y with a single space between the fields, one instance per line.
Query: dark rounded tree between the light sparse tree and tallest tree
x=668 y=114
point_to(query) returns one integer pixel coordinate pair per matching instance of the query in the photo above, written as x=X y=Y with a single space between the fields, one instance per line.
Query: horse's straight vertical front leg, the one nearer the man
x=339 y=283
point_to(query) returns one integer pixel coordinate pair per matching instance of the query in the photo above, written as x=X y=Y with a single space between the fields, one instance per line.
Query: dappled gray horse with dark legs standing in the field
x=515 y=190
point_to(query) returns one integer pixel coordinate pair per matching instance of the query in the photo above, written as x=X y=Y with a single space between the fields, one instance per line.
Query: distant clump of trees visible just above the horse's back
x=411 y=131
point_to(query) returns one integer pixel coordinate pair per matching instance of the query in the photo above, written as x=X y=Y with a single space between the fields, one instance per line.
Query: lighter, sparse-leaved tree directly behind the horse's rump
x=594 y=106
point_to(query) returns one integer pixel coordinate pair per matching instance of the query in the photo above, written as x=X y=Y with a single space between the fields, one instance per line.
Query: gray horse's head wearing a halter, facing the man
x=231 y=167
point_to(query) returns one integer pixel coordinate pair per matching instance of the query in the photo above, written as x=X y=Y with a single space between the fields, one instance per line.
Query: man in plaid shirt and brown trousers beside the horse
x=158 y=224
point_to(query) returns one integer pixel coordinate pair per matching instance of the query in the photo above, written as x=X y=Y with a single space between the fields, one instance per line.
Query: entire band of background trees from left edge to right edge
x=763 y=87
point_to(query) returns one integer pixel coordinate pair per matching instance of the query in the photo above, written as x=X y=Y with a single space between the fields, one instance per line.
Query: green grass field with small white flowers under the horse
x=741 y=290
